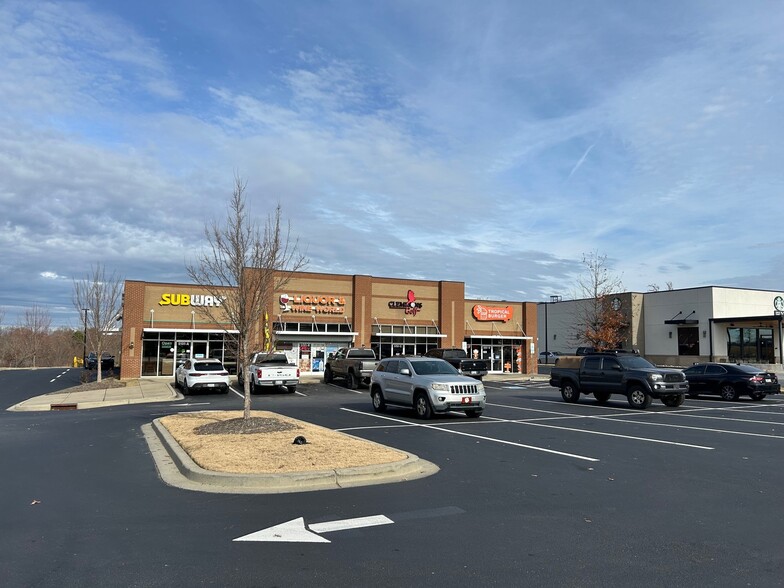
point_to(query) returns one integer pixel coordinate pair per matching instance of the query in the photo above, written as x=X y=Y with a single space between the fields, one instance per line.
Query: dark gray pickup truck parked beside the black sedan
x=606 y=373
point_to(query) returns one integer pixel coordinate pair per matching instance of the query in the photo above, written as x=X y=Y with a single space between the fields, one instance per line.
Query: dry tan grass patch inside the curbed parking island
x=213 y=439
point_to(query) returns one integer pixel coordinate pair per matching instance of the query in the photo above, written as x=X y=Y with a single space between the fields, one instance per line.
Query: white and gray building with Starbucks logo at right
x=680 y=327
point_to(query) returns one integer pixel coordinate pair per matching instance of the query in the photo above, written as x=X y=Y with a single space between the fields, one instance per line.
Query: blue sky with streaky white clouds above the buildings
x=491 y=142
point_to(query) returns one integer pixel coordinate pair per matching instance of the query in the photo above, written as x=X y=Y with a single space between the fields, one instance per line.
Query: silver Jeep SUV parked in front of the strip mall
x=427 y=385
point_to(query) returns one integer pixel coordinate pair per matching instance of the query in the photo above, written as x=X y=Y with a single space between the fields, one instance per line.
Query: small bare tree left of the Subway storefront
x=98 y=297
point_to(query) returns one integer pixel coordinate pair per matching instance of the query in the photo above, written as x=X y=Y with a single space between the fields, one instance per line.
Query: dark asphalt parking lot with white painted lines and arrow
x=536 y=492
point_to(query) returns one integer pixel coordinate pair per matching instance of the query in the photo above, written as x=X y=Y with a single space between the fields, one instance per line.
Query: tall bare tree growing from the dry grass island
x=244 y=264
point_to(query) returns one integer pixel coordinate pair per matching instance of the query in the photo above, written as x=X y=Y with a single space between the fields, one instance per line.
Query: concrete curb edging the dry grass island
x=191 y=476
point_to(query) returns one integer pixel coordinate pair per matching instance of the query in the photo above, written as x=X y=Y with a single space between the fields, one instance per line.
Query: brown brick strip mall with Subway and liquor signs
x=318 y=313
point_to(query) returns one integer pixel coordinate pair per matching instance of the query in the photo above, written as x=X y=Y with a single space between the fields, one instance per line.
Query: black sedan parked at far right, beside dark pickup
x=730 y=380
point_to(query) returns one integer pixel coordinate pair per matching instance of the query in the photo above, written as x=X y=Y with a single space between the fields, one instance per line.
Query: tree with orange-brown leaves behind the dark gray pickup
x=597 y=322
